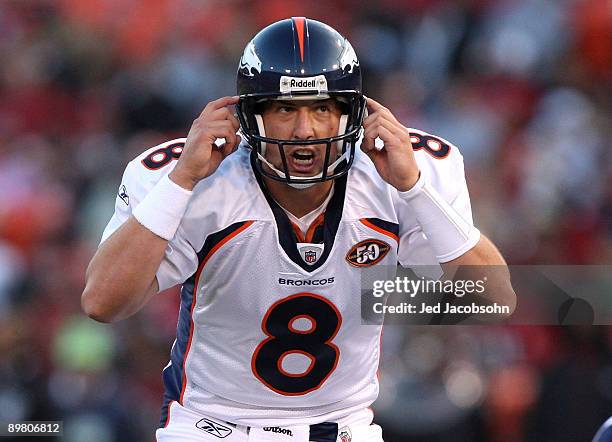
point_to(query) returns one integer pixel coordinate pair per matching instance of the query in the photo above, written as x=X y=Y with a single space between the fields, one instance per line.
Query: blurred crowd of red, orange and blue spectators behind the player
x=522 y=86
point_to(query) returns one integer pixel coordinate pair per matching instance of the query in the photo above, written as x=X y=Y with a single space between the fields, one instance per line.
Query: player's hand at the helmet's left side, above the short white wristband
x=201 y=156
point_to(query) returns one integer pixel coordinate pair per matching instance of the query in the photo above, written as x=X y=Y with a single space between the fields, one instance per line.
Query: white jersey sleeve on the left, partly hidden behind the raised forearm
x=180 y=259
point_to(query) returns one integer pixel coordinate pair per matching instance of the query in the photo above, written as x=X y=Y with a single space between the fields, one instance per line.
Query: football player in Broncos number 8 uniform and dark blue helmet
x=268 y=233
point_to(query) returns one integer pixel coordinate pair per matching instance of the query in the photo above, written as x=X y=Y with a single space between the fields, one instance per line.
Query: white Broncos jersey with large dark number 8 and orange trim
x=270 y=330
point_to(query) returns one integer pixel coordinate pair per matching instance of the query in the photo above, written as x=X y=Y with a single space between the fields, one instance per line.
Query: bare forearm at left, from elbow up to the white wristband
x=121 y=276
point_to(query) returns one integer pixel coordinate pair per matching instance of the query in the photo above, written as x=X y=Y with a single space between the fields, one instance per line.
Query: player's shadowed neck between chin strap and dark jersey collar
x=298 y=201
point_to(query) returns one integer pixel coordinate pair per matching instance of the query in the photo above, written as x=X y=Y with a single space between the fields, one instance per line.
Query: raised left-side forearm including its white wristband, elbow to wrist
x=121 y=275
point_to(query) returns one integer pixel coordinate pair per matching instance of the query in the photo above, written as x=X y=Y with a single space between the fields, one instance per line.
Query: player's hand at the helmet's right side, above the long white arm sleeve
x=395 y=162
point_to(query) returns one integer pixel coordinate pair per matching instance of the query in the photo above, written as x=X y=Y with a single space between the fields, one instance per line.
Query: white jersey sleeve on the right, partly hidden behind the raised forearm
x=446 y=174
